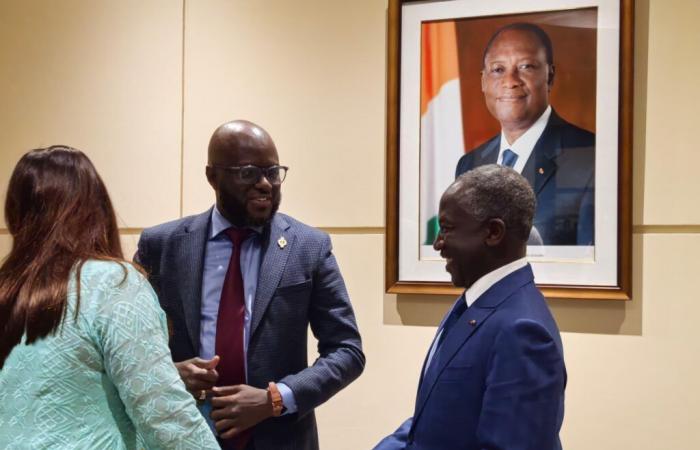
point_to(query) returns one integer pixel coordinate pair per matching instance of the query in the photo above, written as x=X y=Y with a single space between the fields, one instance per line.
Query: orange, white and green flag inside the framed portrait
x=441 y=139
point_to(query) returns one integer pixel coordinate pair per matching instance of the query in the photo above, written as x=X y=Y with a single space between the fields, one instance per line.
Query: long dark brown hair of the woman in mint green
x=59 y=215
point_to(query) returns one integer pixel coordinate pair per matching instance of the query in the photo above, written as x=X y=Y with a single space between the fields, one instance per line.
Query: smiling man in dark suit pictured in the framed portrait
x=556 y=157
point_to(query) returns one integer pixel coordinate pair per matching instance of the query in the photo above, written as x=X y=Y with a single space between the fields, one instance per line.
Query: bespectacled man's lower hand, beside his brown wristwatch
x=237 y=408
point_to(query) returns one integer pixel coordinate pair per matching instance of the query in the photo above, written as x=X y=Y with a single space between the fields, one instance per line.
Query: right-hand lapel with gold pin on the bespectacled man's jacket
x=272 y=267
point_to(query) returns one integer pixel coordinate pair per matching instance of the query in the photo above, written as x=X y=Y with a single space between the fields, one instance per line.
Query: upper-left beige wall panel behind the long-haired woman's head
x=104 y=77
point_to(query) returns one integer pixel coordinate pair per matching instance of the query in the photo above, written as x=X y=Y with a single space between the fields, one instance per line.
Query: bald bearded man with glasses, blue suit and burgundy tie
x=241 y=284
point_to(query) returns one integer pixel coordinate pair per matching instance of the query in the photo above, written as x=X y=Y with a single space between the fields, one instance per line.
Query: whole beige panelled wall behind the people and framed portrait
x=141 y=91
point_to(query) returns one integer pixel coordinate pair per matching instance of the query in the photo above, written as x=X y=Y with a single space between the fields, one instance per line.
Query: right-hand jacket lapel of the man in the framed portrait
x=542 y=163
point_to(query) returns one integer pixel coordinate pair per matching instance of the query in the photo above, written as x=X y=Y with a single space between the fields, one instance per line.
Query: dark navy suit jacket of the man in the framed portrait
x=561 y=170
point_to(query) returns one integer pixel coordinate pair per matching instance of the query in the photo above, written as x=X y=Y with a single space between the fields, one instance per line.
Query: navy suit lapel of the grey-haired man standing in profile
x=468 y=324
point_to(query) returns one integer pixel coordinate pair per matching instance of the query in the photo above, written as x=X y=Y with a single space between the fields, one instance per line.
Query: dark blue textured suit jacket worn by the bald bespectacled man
x=299 y=285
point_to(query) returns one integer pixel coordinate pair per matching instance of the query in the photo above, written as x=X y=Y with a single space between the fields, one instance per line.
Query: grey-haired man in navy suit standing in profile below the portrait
x=494 y=376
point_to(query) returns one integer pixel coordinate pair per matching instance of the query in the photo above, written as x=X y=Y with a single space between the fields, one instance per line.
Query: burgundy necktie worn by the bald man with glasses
x=229 y=329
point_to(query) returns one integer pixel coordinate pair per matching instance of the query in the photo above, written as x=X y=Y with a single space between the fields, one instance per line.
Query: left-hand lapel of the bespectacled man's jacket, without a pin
x=191 y=245
